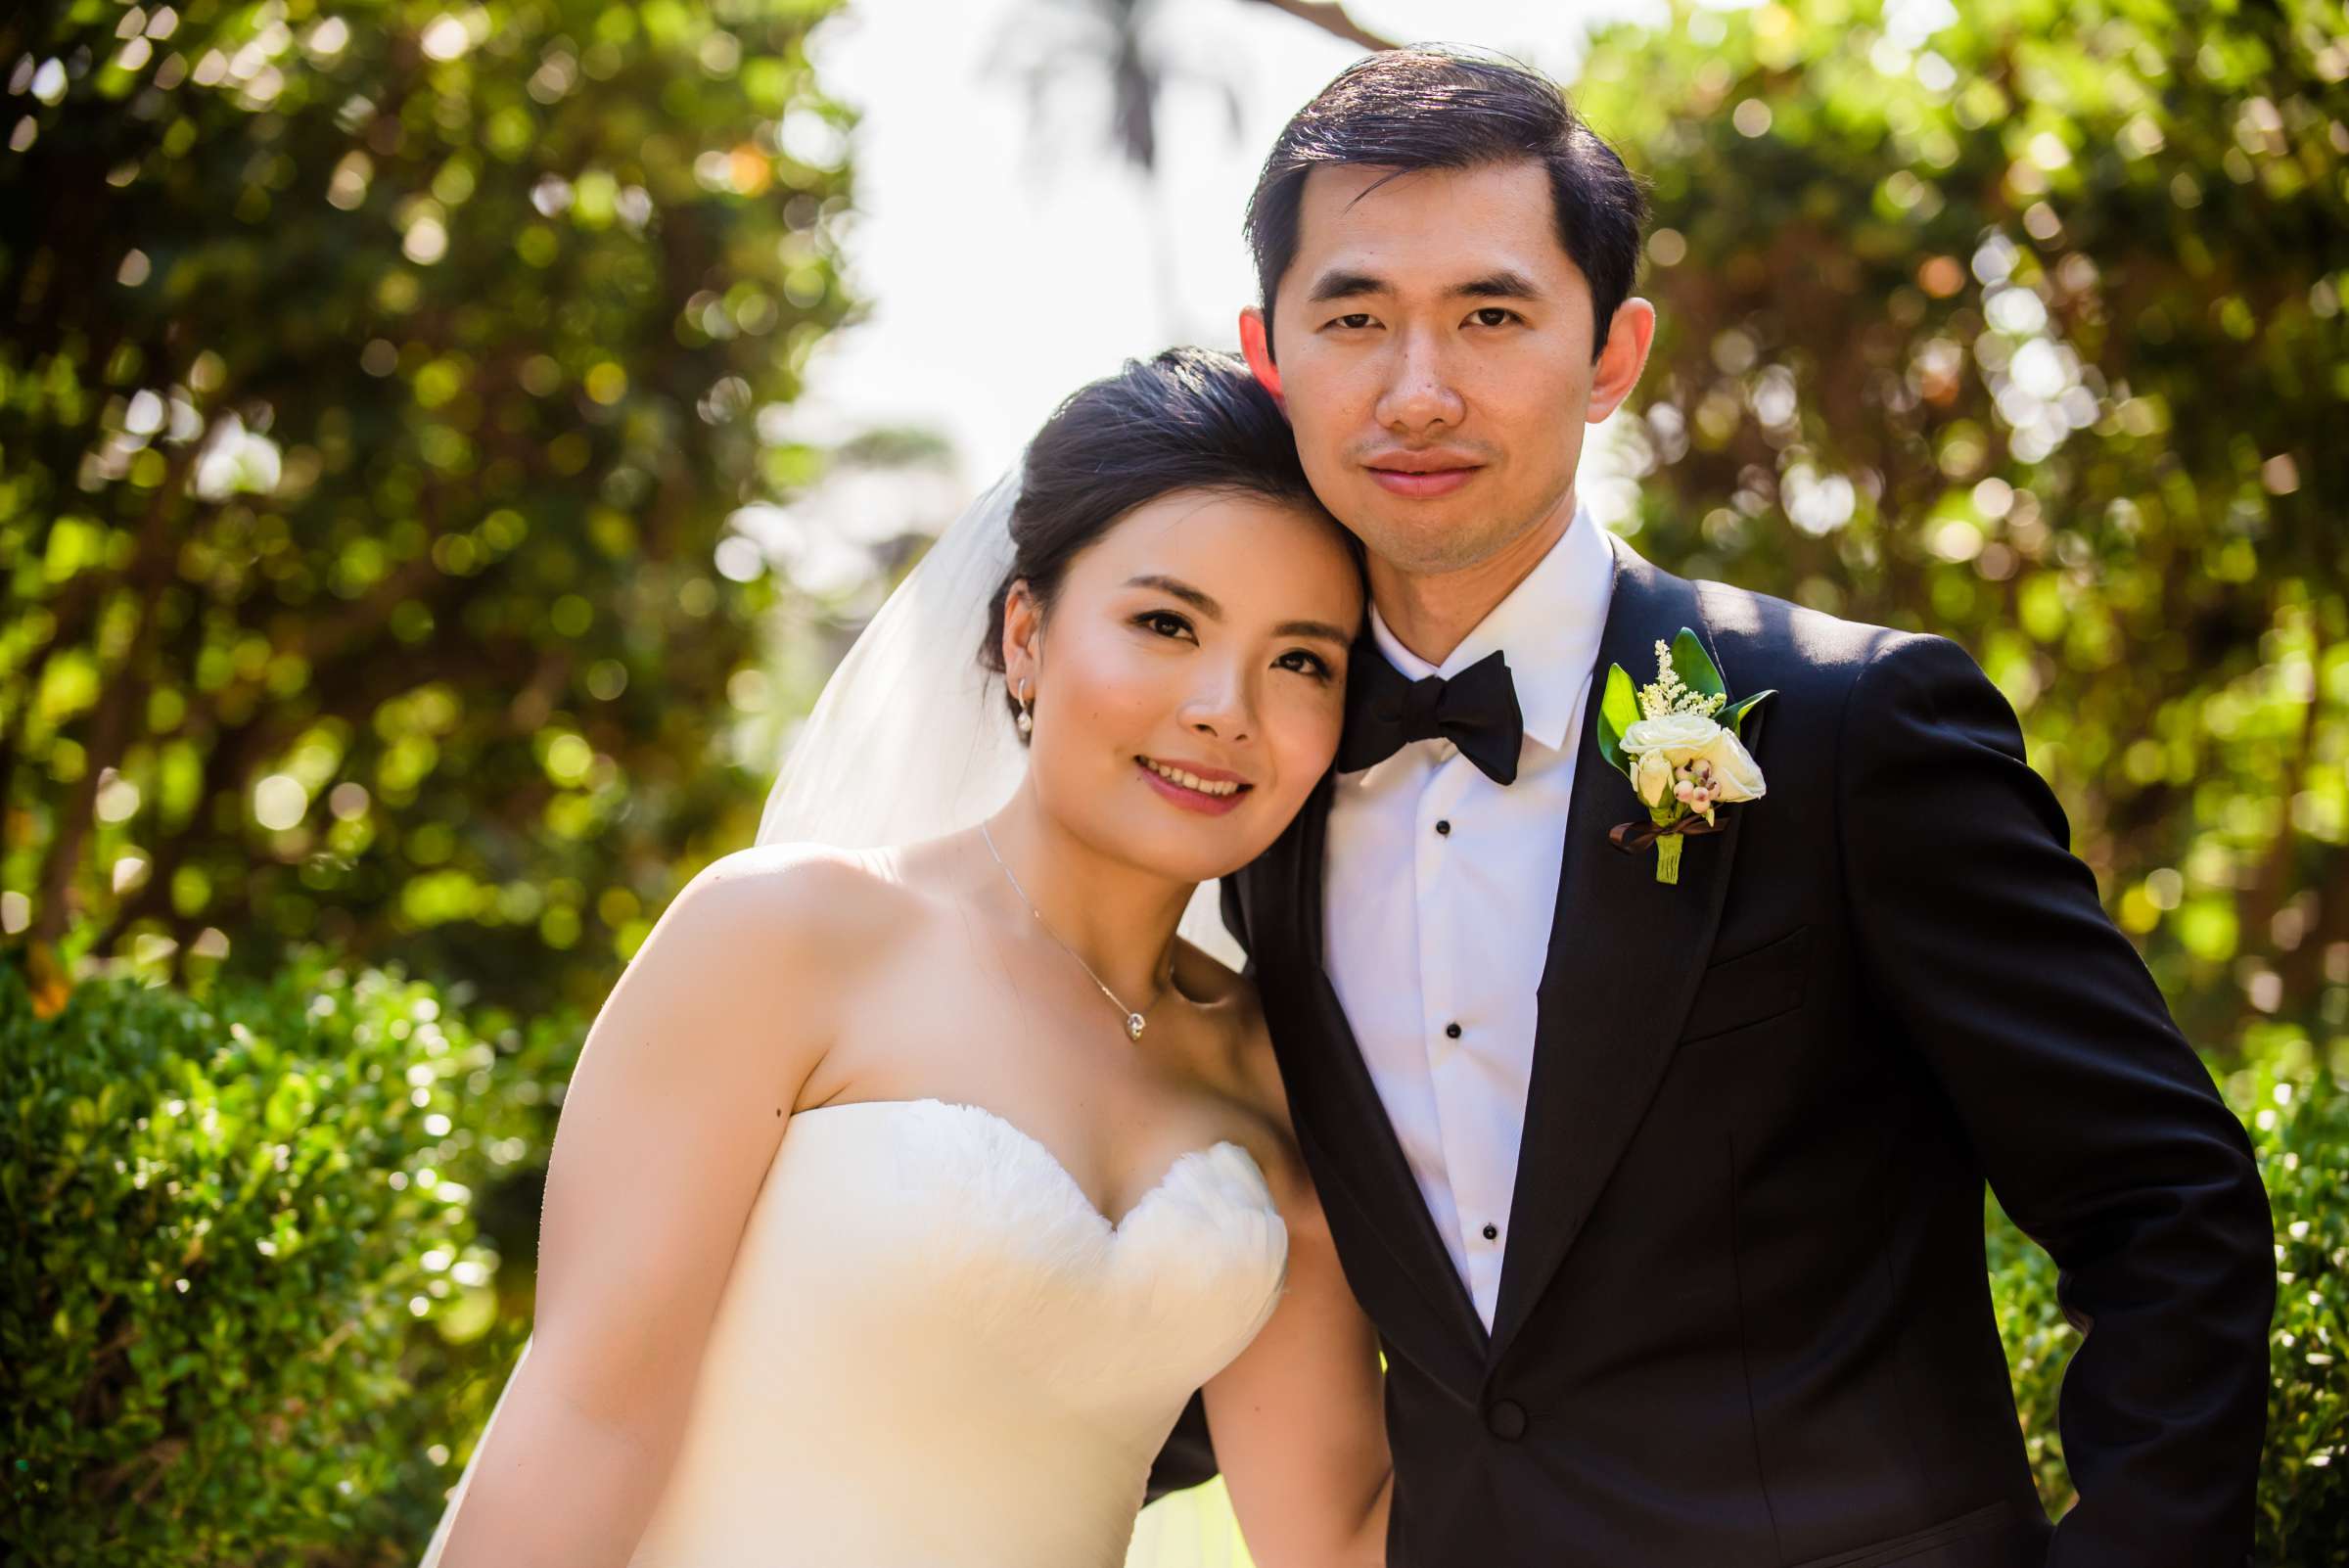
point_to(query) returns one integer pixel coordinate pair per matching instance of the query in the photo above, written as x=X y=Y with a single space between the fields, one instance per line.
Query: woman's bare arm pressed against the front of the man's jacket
x=1298 y=1419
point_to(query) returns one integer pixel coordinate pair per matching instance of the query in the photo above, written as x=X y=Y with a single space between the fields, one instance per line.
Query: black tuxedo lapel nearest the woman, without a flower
x=1338 y=1104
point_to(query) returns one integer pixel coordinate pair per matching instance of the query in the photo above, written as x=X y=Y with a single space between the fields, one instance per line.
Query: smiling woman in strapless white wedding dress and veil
x=913 y=1180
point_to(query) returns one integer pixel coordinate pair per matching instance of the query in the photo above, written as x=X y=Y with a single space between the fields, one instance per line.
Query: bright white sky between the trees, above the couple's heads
x=1014 y=257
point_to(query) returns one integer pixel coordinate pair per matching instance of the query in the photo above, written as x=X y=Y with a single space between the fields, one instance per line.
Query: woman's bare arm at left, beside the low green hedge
x=673 y=1116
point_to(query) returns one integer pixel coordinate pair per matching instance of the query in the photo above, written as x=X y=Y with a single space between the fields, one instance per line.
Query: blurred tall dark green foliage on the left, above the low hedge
x=375 y=393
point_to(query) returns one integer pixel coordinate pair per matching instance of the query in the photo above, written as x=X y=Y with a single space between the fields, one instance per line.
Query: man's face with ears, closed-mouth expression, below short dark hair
x=1432 y=344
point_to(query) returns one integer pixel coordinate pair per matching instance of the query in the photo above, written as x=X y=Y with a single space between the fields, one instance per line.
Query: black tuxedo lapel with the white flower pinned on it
x=1627 y=954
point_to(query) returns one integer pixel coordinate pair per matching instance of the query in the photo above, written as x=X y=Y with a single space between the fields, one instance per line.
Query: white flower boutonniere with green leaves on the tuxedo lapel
x=1678 y=745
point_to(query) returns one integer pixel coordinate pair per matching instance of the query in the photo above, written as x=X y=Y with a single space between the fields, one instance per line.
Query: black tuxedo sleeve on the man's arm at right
x=2096 y=1126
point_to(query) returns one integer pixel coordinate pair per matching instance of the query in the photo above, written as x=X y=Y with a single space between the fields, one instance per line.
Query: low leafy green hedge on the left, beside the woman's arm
x=250 y=1313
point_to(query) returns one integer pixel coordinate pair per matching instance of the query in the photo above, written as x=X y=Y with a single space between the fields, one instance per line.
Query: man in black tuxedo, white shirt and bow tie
x=1667 y=1198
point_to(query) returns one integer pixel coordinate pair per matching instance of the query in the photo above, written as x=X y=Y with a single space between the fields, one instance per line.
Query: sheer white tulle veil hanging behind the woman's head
x=913 y=736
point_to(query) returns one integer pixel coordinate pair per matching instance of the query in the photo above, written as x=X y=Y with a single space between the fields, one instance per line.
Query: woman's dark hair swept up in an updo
x=1187 y=419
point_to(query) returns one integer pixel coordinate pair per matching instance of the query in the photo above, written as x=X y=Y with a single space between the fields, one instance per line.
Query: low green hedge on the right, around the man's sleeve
x=2298 y=1121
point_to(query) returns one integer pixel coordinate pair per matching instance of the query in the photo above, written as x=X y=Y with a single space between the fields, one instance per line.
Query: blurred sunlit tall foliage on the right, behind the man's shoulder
x=2024 y=323
